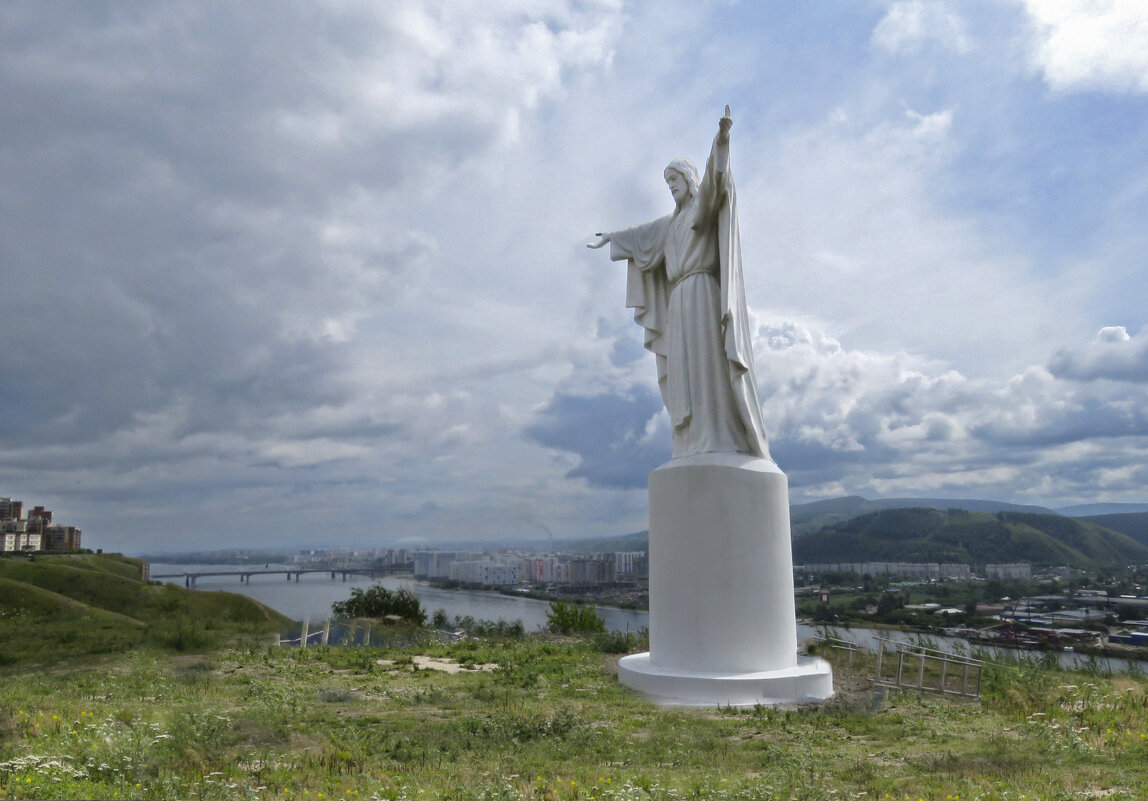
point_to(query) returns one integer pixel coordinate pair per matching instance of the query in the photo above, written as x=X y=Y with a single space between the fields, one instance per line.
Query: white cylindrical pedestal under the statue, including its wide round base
x=723 y=623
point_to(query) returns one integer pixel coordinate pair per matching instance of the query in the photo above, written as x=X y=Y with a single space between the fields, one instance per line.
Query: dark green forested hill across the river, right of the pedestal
x=927 y=535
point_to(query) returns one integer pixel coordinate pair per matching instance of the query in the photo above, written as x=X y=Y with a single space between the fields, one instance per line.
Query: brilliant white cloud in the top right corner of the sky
x=1091 y=45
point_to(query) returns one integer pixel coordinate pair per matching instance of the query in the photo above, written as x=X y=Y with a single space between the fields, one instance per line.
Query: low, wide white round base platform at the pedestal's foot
x=811 y=682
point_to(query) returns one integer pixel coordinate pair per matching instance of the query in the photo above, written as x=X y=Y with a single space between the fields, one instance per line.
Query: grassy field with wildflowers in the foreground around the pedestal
x=541 y=719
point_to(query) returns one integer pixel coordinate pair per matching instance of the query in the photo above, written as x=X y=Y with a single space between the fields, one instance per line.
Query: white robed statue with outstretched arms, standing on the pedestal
x=685 y=283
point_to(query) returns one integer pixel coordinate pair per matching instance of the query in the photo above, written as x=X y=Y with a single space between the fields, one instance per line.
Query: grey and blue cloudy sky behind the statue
x=315 y=273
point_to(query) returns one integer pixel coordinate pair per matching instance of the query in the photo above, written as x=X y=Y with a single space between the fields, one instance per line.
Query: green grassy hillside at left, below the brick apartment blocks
x=56 y=608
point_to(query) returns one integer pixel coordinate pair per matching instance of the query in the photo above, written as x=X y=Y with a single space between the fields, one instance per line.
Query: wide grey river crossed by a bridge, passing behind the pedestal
x=312 y=597
